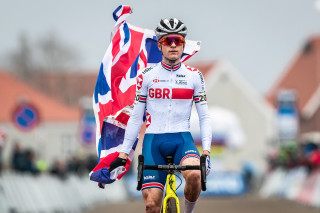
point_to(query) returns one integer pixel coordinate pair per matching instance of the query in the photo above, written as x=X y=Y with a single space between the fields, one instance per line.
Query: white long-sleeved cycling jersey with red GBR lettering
x=165 y=94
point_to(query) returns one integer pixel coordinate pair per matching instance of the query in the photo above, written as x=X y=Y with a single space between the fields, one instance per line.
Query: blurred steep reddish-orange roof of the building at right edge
x=303 y=76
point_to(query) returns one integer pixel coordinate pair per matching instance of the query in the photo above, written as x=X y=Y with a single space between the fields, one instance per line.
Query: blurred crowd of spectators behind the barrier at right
x=294 y=154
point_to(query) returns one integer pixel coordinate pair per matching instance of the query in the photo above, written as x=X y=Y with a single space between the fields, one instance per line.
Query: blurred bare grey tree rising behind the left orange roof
x=49 y=54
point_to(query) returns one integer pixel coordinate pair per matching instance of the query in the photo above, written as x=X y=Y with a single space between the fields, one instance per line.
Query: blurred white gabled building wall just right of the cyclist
x=229 y=93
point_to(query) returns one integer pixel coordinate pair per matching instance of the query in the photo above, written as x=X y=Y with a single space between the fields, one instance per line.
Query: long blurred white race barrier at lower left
x=21 y=193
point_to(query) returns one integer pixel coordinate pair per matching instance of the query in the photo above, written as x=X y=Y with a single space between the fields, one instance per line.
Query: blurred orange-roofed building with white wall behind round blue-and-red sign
x=36 y=121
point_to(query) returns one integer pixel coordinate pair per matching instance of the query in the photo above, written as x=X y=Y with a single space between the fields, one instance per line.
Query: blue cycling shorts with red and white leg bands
x=156 y=147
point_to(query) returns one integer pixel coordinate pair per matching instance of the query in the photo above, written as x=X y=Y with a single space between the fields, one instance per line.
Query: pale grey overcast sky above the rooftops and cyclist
x=259 y=37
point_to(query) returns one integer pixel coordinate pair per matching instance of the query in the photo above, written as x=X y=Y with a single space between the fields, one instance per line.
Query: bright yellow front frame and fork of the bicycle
x=171 y=194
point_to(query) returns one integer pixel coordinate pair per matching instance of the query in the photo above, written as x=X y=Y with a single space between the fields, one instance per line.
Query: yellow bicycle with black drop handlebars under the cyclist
x=170 y=202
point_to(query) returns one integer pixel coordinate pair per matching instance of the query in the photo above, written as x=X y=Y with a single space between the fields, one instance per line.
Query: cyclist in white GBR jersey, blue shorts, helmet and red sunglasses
x=165 y=93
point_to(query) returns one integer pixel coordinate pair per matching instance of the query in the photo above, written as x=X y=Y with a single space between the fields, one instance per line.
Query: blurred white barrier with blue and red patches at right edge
x=295 y=184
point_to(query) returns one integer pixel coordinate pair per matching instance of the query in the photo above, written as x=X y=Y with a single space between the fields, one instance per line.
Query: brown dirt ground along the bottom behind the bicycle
x=243 y=204
